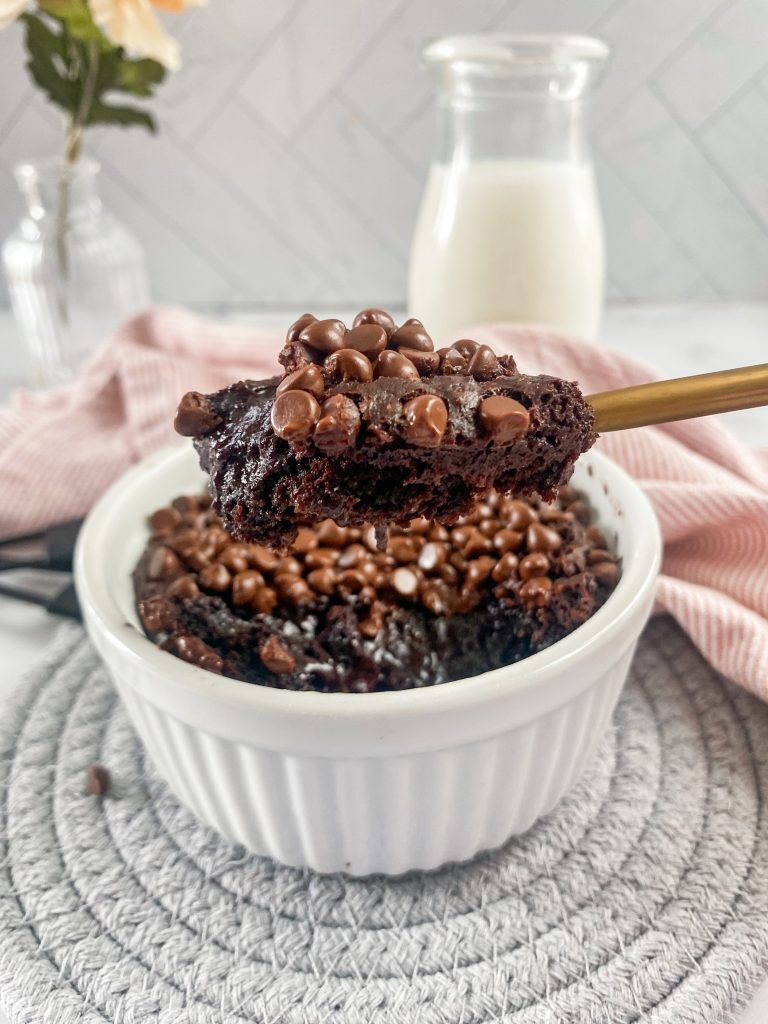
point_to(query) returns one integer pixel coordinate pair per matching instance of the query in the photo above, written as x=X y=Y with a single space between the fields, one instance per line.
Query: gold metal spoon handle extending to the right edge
x=684 y=399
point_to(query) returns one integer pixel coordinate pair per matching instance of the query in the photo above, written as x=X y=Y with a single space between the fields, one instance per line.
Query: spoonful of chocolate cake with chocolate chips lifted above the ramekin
x=371 y=425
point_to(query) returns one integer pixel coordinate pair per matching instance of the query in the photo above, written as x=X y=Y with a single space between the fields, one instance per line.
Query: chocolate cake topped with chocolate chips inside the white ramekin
x=339 y=614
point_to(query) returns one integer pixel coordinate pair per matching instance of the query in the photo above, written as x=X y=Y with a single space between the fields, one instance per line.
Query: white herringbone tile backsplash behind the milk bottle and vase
x=295 y=141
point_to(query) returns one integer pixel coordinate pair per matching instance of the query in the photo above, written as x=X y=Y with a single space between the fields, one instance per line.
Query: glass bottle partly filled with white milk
x=509 y=227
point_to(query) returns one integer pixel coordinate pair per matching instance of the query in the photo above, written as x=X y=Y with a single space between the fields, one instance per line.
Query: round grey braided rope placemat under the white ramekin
x=643 y=898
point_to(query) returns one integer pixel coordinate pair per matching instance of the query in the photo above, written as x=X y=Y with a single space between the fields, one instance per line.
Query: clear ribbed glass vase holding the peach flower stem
x=74 y=272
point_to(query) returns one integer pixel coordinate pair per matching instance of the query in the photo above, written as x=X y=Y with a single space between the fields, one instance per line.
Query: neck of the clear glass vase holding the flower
x=54 y=189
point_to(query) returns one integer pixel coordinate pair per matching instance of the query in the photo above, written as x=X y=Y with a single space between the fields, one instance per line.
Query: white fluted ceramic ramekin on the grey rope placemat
x=367 y=783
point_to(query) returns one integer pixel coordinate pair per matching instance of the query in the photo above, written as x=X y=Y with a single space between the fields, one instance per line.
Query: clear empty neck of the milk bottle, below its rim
x=537 y=129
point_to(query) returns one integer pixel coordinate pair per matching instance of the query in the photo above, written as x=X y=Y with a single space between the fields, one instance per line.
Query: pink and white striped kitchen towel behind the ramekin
x=61 y=450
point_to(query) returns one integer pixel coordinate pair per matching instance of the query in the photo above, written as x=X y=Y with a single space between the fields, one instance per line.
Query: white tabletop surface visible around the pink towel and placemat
x=676 y=340
